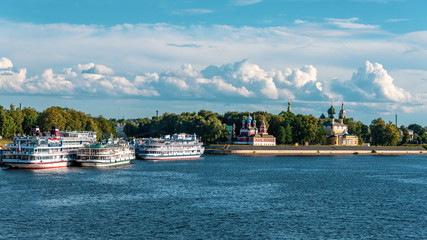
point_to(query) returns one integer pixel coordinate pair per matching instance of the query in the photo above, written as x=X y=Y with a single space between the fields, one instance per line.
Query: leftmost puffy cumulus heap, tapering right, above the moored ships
x=92 y=79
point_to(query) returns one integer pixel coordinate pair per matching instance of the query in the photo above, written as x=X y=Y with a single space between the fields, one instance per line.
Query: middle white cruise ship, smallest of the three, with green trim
x=111 y=153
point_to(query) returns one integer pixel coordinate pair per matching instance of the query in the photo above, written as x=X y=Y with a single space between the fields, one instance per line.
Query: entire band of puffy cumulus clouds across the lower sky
x=240 y=81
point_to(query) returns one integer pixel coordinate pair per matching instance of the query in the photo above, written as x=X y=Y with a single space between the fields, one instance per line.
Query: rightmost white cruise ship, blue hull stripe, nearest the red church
x=177 y=146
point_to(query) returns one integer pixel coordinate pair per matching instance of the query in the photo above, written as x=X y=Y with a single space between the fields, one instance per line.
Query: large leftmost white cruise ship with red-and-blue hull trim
x=53 y=150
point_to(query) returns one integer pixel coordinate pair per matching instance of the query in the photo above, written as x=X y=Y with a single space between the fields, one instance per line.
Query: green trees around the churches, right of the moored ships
x=287 y=127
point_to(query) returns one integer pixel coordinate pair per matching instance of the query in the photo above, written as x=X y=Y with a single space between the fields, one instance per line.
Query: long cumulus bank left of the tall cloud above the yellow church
x=235 y=80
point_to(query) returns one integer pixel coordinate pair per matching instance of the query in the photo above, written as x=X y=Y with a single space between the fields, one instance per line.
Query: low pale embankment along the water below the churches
x=312 y=150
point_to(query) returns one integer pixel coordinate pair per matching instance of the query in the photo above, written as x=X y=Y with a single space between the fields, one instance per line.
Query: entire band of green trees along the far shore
x=287 y=127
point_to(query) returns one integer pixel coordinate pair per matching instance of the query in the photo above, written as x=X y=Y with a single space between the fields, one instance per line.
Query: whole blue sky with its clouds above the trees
x=130 y=58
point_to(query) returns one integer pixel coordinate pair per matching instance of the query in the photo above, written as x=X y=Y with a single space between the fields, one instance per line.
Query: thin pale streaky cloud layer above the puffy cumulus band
x=151 y=47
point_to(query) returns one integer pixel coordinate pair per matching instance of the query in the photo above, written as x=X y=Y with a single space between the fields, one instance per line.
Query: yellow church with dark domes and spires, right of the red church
x=336 y=129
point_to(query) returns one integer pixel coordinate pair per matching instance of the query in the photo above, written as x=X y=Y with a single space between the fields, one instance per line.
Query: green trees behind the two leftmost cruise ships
x=17 y=121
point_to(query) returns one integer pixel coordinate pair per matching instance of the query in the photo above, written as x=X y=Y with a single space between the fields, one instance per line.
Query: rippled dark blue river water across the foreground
x=221 y=197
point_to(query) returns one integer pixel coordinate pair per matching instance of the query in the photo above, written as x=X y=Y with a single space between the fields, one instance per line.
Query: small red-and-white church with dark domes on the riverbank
x=249 y=134
